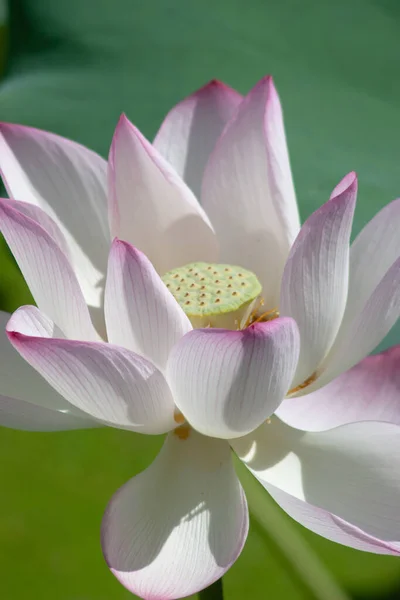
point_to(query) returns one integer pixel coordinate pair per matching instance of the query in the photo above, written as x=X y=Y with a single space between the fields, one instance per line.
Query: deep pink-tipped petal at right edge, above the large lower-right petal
x=370 y=391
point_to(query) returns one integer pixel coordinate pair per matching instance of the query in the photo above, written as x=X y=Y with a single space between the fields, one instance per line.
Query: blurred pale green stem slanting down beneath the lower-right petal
x=300 y=559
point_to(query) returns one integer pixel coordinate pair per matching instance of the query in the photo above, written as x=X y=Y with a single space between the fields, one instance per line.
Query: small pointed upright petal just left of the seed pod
x=141 y=314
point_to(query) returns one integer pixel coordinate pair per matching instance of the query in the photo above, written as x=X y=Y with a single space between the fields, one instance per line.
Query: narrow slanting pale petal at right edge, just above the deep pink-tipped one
x=367 y=329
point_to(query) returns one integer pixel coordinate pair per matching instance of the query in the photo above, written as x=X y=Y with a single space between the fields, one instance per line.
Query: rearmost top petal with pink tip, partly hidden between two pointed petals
x=190 y=130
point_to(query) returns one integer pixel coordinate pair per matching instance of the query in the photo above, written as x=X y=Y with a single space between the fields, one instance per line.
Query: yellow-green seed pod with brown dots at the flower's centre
x=214 y=295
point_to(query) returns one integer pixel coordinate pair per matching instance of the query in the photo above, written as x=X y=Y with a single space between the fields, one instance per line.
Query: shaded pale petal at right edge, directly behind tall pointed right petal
x=372 y=253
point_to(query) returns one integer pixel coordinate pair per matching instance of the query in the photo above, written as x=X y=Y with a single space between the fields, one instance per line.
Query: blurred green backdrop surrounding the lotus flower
x=72 y=67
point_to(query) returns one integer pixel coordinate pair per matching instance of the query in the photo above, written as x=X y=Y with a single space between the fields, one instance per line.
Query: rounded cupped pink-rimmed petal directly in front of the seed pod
x=227 y=383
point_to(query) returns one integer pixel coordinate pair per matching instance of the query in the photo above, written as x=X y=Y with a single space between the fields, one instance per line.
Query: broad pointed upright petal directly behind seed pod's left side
x=151 y=206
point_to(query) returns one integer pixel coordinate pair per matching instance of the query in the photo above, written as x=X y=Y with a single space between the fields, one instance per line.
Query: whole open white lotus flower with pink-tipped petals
x=214 y=311
